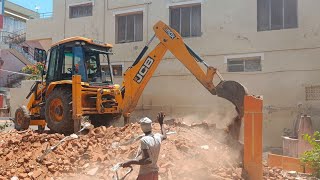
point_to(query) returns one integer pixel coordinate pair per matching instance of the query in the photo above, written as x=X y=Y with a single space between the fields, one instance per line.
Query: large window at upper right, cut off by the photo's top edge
x=277 y=14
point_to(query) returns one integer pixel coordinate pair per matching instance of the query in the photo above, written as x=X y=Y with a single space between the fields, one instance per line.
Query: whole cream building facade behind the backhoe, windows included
x=270 y=46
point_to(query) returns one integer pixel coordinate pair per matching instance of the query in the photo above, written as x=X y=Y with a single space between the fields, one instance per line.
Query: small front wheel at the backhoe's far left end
x=22 y=119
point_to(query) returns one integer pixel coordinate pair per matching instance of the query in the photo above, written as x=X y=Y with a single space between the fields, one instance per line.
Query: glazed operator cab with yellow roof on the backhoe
x=79 y=56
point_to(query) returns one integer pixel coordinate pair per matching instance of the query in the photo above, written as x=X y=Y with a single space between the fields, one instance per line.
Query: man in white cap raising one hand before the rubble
x=150 y=149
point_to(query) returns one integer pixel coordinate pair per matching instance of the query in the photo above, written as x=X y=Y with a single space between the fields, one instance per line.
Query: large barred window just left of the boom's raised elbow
x=129 y=28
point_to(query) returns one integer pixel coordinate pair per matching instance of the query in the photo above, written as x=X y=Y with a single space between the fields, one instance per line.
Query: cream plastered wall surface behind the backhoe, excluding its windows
x=229 y=28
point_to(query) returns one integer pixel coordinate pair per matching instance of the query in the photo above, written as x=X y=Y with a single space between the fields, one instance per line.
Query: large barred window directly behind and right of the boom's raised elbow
x=186 y=20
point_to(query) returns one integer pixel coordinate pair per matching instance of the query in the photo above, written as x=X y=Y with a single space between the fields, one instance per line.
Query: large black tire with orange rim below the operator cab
x=59 y=111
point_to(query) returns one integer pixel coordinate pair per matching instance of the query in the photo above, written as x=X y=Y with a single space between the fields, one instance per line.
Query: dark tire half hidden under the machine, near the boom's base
x=103 y=119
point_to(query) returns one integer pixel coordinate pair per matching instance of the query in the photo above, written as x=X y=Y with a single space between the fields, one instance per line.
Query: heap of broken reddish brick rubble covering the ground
x=185 y=155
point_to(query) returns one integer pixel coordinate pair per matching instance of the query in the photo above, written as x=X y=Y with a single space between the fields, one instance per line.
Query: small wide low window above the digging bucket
x=246 y=64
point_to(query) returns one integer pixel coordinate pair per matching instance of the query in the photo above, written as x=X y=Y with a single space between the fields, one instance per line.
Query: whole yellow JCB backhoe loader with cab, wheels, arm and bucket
x=76 y=86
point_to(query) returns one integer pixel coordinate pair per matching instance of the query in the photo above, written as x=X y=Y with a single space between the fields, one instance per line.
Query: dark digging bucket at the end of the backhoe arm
x=233 y=92
